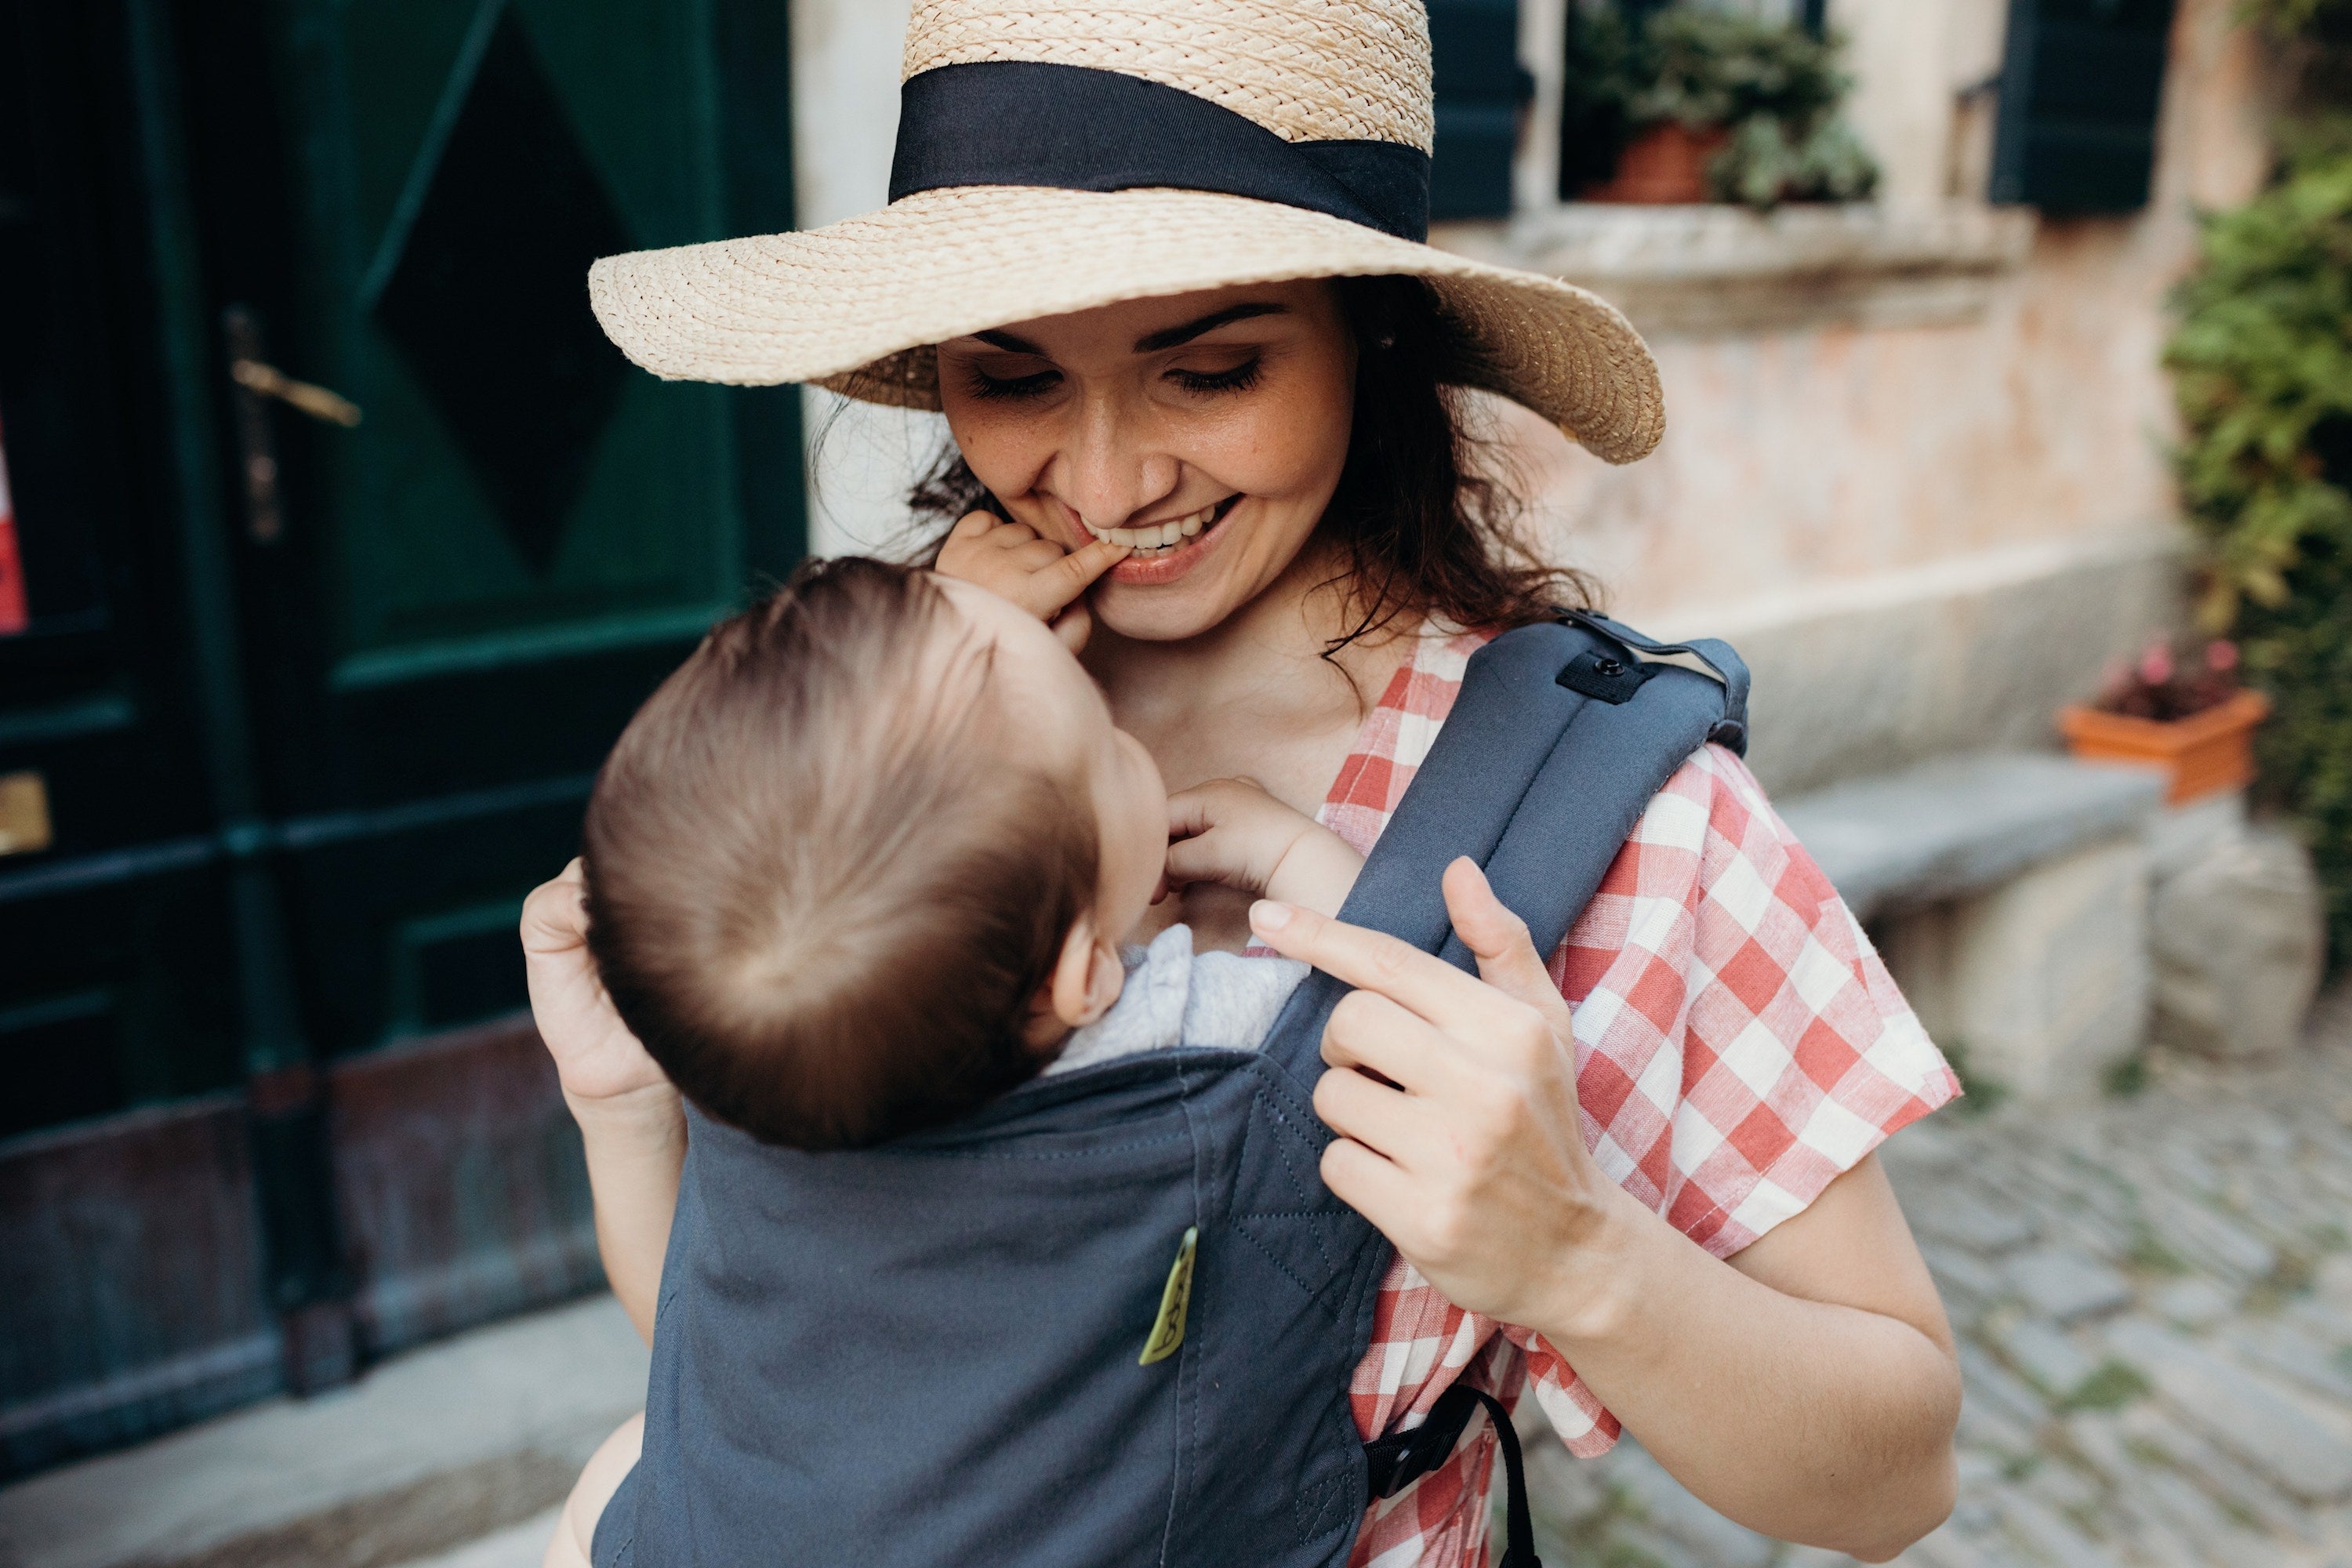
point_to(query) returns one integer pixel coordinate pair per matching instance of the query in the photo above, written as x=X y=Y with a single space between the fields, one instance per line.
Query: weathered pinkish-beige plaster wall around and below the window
x=1927 y=537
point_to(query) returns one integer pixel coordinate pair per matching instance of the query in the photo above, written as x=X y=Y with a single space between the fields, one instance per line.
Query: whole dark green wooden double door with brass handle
x=314 y=704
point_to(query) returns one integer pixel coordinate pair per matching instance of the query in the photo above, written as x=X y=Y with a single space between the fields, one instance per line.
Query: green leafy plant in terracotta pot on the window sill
x=1697 y=105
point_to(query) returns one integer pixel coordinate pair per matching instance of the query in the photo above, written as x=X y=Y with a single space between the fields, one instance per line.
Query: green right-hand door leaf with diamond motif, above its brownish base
x=523 y=532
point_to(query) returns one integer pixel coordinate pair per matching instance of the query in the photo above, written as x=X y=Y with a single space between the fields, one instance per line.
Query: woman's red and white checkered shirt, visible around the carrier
x=1739 y=1045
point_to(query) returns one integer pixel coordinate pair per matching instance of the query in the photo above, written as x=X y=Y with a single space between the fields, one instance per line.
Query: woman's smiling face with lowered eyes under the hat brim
x=1203 y=429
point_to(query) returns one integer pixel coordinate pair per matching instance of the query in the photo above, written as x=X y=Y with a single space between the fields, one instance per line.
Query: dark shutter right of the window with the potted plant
x=2080 y=91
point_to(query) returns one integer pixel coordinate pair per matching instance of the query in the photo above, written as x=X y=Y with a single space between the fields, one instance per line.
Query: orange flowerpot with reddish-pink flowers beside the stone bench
x=2184 y=713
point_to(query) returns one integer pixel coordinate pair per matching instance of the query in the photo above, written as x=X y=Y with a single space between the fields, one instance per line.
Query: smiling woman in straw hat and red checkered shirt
x=1163 y=276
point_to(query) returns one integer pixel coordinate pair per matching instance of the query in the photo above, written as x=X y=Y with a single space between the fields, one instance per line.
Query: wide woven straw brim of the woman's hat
x=857 y=307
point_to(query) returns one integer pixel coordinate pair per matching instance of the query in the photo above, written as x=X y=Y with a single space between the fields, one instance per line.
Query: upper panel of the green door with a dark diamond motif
x=519 y=492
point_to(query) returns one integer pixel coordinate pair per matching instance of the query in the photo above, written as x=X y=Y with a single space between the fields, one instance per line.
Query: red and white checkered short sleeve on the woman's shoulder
x=1739 y=1043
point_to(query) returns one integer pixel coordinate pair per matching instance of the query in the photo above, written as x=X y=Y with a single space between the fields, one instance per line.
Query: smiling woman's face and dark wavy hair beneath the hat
x=1415 y=521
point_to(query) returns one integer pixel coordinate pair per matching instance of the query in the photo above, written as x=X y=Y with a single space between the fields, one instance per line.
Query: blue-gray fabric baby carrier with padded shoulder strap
x=1114 y=1318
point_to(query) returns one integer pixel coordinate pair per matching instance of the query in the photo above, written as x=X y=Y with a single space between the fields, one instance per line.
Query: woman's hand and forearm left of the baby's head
x=632 y=1118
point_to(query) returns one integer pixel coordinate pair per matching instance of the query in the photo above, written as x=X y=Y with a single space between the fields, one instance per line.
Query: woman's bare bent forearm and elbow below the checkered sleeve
x=1808 y=1421
